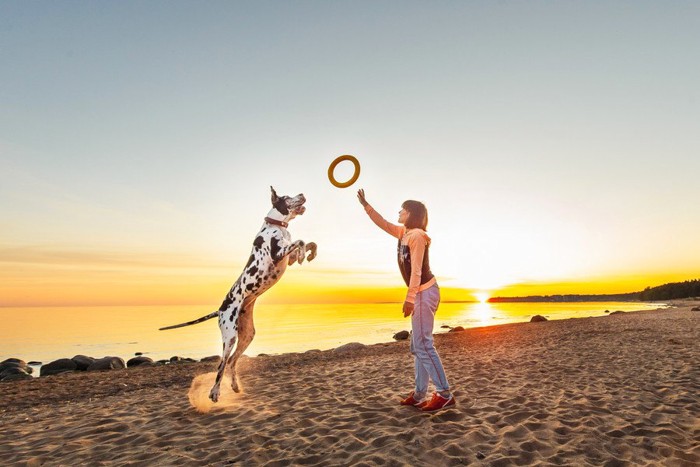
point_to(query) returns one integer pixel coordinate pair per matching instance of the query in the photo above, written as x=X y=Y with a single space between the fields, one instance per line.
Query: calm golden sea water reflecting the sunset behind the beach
x=46 y=334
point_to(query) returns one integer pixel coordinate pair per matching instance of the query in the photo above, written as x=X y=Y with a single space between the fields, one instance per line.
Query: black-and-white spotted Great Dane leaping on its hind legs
x=273 y=250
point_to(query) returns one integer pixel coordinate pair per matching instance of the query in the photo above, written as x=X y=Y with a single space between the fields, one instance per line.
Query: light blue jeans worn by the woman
x=427 y=361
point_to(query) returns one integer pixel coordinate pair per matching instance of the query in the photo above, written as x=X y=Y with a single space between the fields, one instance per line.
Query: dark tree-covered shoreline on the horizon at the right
x=669 y=291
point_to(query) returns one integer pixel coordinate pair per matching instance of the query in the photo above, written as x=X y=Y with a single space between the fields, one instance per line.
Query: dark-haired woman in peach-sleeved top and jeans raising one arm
x=421 y=302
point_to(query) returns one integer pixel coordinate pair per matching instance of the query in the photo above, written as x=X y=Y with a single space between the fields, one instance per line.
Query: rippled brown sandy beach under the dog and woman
x=616 y=390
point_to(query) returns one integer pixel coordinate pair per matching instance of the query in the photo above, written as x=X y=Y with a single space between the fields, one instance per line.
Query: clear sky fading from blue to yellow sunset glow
x=555 y=144
